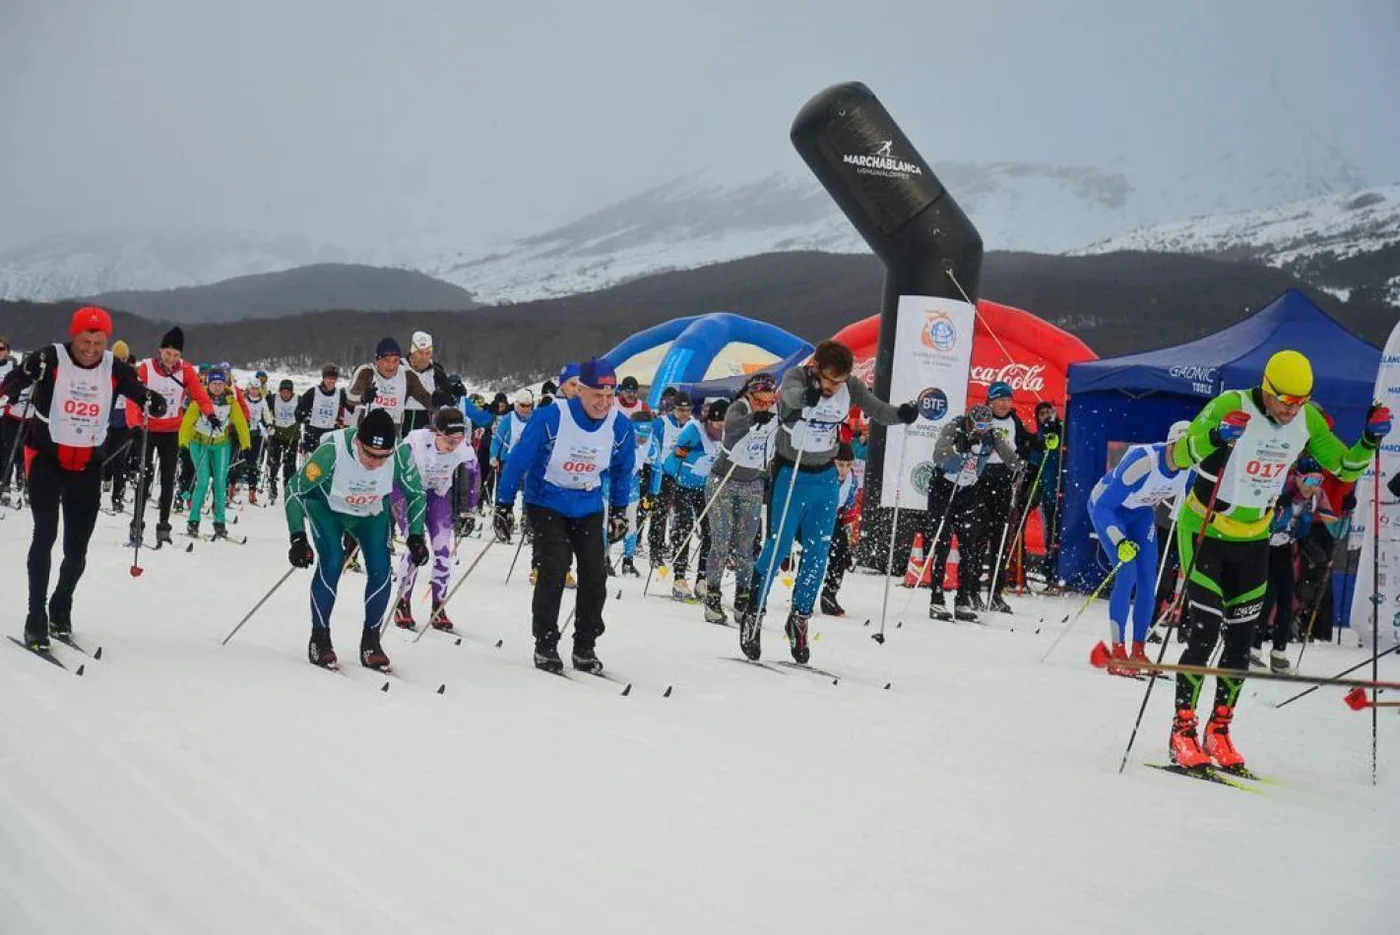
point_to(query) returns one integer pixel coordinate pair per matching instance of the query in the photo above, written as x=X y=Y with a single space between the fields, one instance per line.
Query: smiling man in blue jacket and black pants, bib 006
x=572 y=457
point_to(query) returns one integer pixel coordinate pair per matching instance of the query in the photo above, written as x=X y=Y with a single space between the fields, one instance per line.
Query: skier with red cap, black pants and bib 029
x=73 y=391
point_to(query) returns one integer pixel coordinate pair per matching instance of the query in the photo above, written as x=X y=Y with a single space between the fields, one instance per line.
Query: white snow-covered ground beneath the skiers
x=180 y=786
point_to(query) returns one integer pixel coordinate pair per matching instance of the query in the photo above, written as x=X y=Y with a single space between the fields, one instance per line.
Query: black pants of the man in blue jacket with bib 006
x=559 y=540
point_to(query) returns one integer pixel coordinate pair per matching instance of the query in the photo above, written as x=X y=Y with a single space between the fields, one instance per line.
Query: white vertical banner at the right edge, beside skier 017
x=1388 y=535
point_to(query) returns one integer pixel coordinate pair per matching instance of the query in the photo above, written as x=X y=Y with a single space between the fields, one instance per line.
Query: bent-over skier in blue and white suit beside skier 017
x=1123 y=510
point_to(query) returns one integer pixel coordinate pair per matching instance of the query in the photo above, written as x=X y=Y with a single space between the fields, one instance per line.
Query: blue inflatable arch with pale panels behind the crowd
x=702 y=348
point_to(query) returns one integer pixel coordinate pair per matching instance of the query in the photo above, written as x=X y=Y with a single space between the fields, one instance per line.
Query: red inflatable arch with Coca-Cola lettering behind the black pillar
x=1009 y=345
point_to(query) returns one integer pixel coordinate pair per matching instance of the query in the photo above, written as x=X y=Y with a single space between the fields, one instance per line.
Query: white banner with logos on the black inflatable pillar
x=933 y=358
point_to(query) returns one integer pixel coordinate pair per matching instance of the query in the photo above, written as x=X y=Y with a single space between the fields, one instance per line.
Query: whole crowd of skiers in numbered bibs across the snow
x=1249 y=492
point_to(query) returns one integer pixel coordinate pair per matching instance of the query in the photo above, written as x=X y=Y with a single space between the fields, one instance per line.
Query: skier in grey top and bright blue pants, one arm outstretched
x=814 y=401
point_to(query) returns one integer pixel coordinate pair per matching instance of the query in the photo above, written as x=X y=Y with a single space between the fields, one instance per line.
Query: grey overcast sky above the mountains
x=346 y=118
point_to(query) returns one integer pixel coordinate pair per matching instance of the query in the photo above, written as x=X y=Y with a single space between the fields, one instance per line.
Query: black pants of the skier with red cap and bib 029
x=79 y=496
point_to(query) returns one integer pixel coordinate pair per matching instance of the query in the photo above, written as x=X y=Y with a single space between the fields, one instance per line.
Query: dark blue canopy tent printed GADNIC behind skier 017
x=1139 y=397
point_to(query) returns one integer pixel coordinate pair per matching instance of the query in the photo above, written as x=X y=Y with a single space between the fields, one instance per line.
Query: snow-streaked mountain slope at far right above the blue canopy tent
x=1347 y=244
